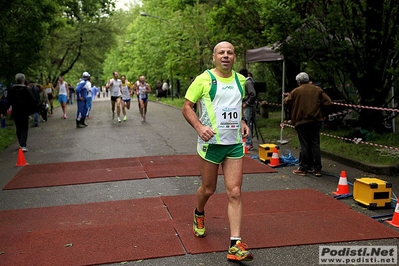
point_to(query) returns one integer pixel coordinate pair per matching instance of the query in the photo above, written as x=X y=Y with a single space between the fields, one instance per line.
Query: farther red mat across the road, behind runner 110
x=84 y=172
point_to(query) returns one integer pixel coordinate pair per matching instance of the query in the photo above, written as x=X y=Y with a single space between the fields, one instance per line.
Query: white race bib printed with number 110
x=228 y=117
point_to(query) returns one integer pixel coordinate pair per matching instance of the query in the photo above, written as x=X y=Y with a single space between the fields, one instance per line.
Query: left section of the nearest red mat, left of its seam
x=93 y=233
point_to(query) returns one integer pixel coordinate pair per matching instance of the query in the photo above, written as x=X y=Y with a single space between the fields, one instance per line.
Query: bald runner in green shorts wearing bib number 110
x=220 y=130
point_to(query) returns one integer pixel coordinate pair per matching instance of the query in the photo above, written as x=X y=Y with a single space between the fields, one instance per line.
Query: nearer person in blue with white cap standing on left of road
x=82 y=88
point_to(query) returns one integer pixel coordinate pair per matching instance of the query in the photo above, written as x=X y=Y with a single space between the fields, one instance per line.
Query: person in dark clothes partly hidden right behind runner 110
x=248 y=104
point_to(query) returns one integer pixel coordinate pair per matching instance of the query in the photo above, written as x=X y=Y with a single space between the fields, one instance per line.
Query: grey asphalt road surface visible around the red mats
x=165 y=133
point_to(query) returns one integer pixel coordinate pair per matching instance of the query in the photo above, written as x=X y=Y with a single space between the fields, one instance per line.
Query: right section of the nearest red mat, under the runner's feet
x=274 y=219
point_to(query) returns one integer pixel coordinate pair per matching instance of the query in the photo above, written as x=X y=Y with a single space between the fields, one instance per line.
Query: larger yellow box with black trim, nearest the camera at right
x=372 y=192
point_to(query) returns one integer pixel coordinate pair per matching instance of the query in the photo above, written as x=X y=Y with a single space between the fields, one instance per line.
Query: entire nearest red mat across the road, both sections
x=118 y=231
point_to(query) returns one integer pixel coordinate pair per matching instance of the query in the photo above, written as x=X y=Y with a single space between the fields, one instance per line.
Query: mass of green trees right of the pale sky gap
x=337 y=42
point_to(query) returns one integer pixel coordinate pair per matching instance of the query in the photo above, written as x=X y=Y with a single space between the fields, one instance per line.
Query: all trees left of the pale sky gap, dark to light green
x=48 y=38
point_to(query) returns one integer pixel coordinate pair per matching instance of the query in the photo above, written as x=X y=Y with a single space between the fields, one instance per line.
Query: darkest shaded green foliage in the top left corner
x=23 y=27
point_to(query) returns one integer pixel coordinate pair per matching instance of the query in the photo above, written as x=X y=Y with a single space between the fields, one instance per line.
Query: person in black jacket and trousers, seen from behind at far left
x=23 y=104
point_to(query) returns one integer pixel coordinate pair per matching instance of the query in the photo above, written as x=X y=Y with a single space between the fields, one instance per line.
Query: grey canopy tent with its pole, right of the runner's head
x=267 y=54
